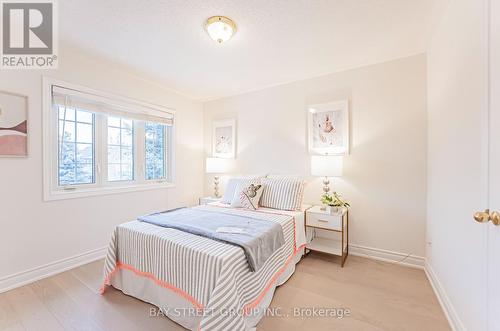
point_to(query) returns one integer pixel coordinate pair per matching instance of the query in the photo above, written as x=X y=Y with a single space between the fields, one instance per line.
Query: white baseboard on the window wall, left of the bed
x=32 y=275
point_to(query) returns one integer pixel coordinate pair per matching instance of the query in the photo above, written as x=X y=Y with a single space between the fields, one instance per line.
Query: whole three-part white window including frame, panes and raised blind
x=99 y=144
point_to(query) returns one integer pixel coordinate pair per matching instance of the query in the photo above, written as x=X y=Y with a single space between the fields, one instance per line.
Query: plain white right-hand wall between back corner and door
x=456 y=174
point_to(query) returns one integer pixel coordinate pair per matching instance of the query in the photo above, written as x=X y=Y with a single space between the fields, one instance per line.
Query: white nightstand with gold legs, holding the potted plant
x=336 y=223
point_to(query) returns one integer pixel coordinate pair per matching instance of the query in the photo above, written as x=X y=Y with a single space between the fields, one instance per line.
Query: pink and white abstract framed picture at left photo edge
x=13 y=125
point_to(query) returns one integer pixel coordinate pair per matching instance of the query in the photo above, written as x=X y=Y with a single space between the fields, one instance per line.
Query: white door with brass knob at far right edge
x=493 y=282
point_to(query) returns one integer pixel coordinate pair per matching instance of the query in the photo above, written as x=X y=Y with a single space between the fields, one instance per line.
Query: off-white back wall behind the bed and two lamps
x=385 y=174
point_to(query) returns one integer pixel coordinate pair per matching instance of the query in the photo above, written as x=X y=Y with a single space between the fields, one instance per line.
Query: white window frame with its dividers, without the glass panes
x=52 y=190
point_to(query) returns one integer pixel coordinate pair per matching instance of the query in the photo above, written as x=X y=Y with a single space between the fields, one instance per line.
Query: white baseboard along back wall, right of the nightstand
x=387 y=256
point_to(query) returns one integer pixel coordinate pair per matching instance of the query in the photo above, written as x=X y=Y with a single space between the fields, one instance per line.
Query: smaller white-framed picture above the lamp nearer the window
x=224 y=139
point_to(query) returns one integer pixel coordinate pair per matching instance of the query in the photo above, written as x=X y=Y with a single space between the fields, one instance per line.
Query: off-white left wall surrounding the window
x=33 y=232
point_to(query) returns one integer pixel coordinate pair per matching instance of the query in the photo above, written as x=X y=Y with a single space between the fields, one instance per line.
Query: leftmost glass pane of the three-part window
x=76 y=148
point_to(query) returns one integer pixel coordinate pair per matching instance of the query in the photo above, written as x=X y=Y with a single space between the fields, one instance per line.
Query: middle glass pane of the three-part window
x=120 y=149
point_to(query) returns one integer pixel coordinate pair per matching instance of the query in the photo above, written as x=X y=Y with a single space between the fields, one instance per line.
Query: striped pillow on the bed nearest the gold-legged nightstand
x=282 y=193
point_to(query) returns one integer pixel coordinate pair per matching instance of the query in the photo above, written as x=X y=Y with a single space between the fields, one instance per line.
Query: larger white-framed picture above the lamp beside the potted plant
x=328 y=128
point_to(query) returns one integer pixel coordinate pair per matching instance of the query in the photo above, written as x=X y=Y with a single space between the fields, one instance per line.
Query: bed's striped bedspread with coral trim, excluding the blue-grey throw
x=200 y=283
